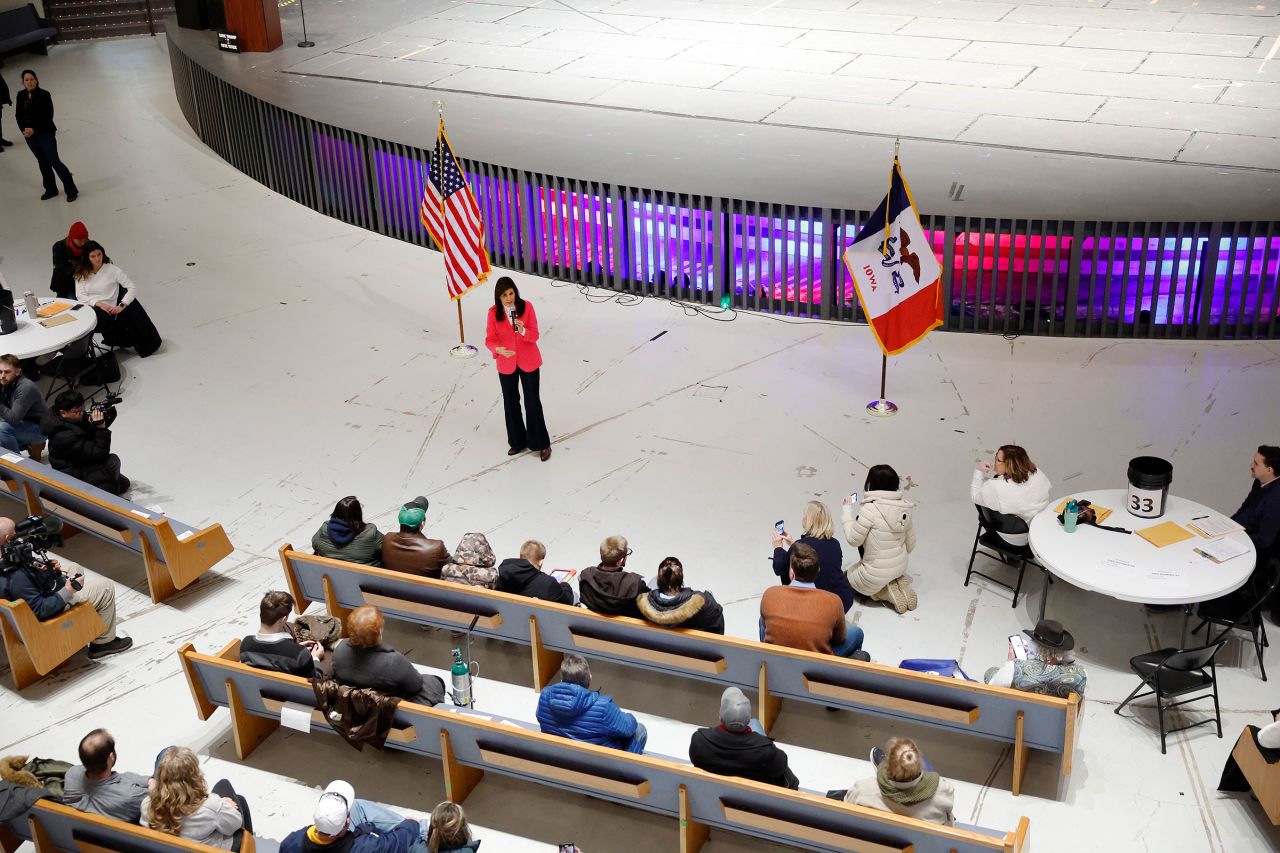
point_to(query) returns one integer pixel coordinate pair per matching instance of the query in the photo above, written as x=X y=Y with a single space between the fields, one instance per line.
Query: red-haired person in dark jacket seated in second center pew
x=362 y=660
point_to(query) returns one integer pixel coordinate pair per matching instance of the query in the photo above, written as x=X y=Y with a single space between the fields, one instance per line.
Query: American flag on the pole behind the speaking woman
x=452 y=217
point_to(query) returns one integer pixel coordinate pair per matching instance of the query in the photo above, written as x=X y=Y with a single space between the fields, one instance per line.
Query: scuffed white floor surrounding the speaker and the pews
x=307 y=361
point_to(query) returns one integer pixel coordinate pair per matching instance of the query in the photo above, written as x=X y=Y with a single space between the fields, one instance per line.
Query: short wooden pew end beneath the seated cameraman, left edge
x=36 y=649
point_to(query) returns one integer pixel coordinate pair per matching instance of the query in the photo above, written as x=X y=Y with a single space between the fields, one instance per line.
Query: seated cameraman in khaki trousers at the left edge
x=28 y=573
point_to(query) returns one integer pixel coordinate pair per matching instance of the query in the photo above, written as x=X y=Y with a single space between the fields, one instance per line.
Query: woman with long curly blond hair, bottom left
x=182 y=805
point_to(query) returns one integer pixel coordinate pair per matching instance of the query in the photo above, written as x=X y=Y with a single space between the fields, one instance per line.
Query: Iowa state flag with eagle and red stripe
x=895 y=272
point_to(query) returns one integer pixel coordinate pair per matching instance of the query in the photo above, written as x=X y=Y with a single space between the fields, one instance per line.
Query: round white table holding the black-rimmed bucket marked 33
x=1130 y=568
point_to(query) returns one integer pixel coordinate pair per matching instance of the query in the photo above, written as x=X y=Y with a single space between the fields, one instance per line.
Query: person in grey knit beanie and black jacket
x=735 y=749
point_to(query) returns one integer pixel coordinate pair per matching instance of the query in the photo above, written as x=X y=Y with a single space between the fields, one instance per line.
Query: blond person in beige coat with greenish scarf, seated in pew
x=906 y=786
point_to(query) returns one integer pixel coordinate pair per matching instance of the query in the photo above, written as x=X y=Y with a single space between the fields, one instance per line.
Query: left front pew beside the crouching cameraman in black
x=173 y=554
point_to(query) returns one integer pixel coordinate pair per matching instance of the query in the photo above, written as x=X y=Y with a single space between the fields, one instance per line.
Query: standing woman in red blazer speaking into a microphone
x=511 y=336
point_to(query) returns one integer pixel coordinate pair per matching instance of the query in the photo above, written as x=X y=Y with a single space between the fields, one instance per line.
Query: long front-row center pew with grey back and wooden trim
x=1025 y=720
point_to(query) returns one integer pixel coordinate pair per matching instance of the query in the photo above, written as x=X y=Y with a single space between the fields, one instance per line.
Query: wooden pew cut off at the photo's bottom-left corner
x=61 y=829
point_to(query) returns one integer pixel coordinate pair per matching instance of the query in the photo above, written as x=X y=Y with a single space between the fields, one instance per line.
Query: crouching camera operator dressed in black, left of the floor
x=80 y=444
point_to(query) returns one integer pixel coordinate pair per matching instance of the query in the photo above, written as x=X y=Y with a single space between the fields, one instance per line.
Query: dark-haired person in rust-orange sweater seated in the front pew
x=803 y=617
